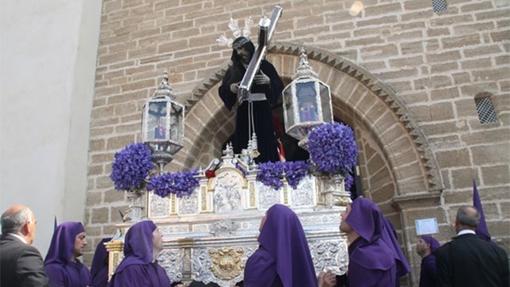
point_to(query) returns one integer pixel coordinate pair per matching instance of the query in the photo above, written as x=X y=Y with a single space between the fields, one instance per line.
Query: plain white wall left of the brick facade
x=47 y=67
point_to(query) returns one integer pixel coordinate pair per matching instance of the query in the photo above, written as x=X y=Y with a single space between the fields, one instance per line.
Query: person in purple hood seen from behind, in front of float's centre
x=283 y=257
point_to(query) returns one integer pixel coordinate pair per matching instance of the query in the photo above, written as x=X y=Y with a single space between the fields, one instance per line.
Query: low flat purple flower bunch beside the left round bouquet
x=180 y=183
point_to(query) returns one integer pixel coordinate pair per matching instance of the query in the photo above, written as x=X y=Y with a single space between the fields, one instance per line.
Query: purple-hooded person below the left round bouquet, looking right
x=139 y=267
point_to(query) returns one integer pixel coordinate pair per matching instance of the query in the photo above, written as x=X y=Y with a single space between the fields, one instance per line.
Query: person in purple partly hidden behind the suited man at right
x=425 y=247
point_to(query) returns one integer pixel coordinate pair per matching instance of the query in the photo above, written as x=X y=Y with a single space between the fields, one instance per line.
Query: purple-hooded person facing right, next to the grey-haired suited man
x=61 y=263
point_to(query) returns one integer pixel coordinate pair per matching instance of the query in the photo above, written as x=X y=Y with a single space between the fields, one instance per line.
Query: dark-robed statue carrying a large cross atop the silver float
x=253 y=83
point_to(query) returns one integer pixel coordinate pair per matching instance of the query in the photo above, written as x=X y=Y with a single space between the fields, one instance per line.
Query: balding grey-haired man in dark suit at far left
x=20 y=263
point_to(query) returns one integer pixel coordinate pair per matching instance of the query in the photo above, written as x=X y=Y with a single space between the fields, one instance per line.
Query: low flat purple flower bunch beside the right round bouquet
x=272 y=173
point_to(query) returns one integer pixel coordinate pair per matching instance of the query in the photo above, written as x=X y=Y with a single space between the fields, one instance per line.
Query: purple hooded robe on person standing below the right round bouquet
x=375 y=258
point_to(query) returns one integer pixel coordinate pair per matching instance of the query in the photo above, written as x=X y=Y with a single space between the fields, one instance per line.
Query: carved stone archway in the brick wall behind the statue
x=408 y=174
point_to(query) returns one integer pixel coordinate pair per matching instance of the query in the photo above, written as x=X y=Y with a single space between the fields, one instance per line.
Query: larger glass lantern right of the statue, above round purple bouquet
x=307 y=102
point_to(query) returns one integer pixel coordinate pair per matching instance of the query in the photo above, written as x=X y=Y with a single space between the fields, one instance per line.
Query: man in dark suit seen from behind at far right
x=468 y=260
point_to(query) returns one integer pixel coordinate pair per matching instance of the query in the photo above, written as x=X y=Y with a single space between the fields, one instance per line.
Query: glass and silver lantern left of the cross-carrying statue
x=163 y=123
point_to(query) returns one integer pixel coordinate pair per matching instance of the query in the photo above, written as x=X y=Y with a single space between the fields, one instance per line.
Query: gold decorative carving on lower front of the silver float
x=226 y=262
